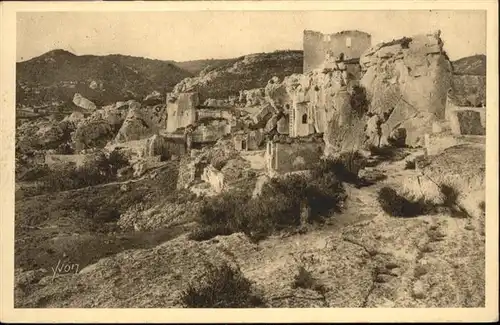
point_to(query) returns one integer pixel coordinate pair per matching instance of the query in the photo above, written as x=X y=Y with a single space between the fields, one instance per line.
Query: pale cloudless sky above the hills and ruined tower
x=191 y=35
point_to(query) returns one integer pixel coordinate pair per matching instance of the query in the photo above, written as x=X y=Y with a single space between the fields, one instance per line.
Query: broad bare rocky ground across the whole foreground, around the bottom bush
x=429 y=261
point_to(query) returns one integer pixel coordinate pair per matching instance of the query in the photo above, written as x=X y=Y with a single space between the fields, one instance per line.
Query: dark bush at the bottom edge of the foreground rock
x=223 y=287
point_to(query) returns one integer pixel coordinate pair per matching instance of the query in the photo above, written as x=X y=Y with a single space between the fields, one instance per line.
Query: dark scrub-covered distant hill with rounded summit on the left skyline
x=56 y=75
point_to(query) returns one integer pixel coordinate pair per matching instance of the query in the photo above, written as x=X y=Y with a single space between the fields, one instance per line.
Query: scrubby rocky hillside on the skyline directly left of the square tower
x=246 y=72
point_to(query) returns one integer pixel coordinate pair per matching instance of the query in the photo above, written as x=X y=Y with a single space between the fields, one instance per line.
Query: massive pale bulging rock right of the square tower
x=406 y=83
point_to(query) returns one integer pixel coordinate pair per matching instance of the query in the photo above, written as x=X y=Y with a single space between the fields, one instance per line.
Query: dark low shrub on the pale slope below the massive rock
x=398 y=206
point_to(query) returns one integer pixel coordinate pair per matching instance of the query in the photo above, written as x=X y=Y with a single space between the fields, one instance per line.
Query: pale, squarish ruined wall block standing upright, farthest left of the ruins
x=181 y=110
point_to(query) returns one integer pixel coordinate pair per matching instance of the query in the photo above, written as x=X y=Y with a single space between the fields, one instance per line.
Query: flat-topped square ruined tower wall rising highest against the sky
x=316 y=46
